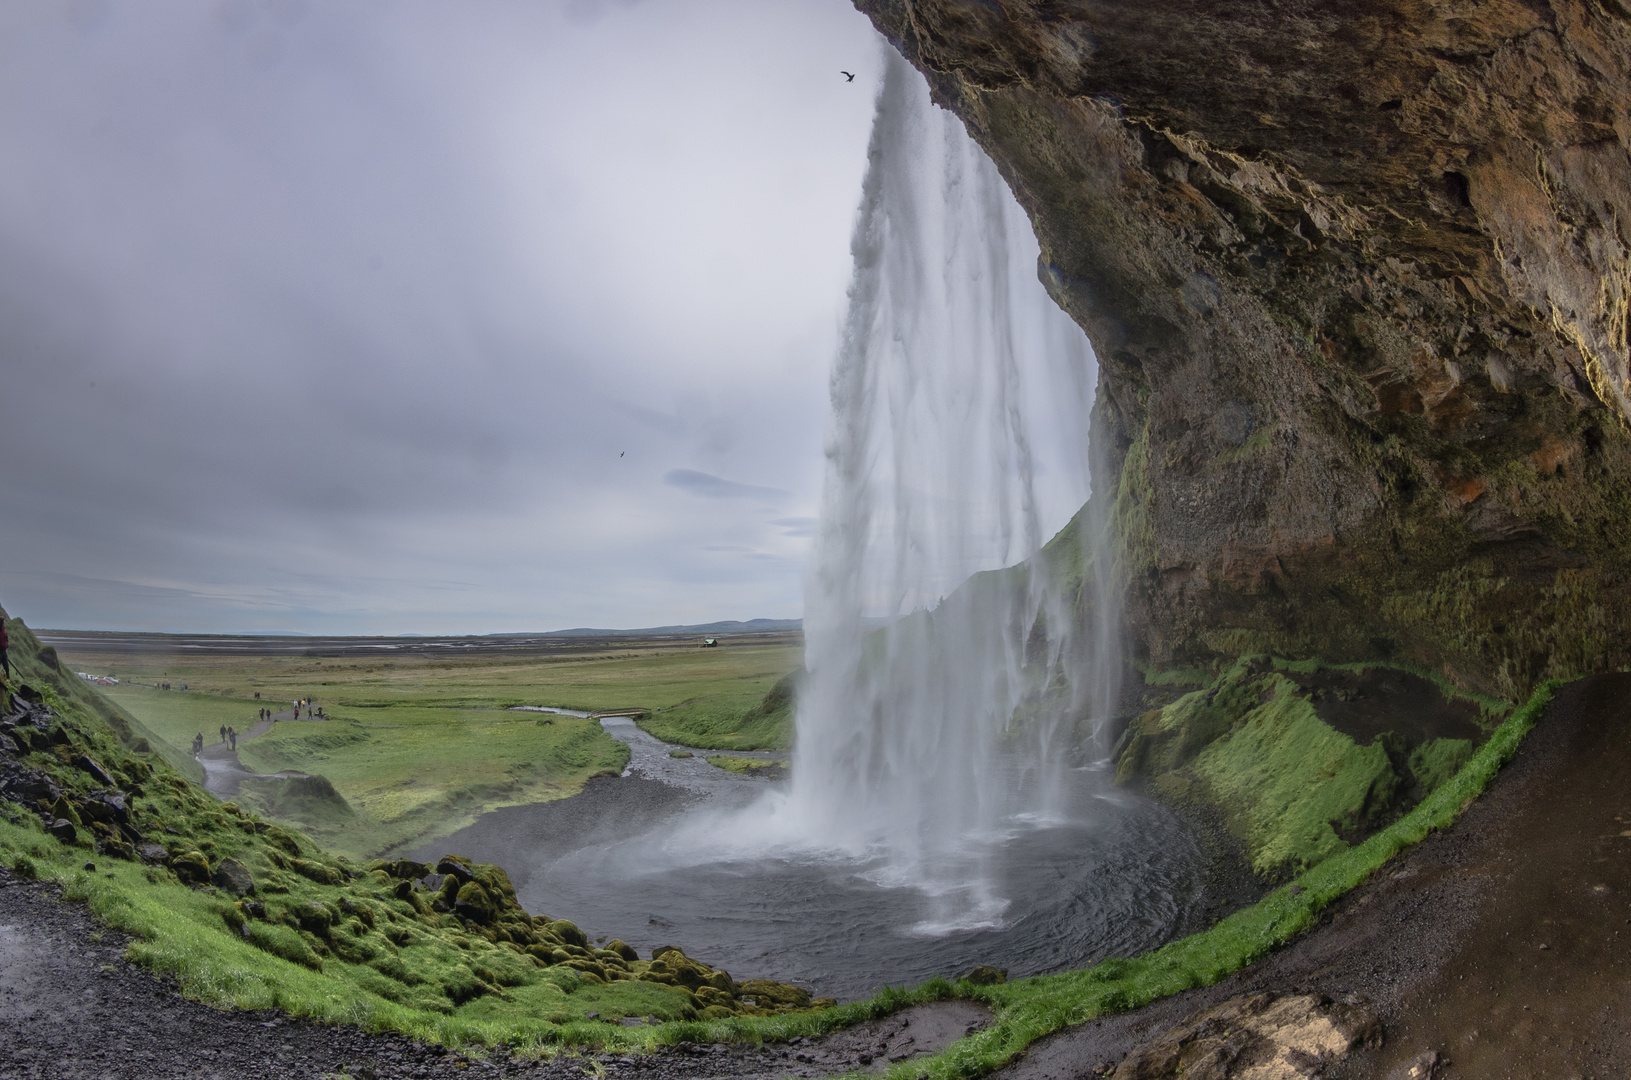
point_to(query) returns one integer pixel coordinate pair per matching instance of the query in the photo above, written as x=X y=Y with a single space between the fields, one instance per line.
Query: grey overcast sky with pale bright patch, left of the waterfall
x=363 y=317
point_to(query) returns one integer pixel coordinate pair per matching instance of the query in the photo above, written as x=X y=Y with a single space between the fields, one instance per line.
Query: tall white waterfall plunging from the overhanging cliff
x=944 y=702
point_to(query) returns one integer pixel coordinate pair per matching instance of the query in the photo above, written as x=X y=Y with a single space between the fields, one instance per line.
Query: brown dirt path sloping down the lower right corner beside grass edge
x=1496 y=949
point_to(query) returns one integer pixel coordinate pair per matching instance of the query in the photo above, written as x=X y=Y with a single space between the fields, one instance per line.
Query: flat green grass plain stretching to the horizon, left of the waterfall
x=418 y=746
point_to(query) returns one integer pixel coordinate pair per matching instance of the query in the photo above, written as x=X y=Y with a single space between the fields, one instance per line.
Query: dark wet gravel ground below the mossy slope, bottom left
x=76 y=1009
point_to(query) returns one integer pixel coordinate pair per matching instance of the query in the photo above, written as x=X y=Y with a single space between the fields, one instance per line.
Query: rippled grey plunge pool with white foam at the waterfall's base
x=1112 y=875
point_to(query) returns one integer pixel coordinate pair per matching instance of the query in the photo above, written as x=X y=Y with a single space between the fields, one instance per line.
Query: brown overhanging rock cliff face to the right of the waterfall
x=1358 y=277
